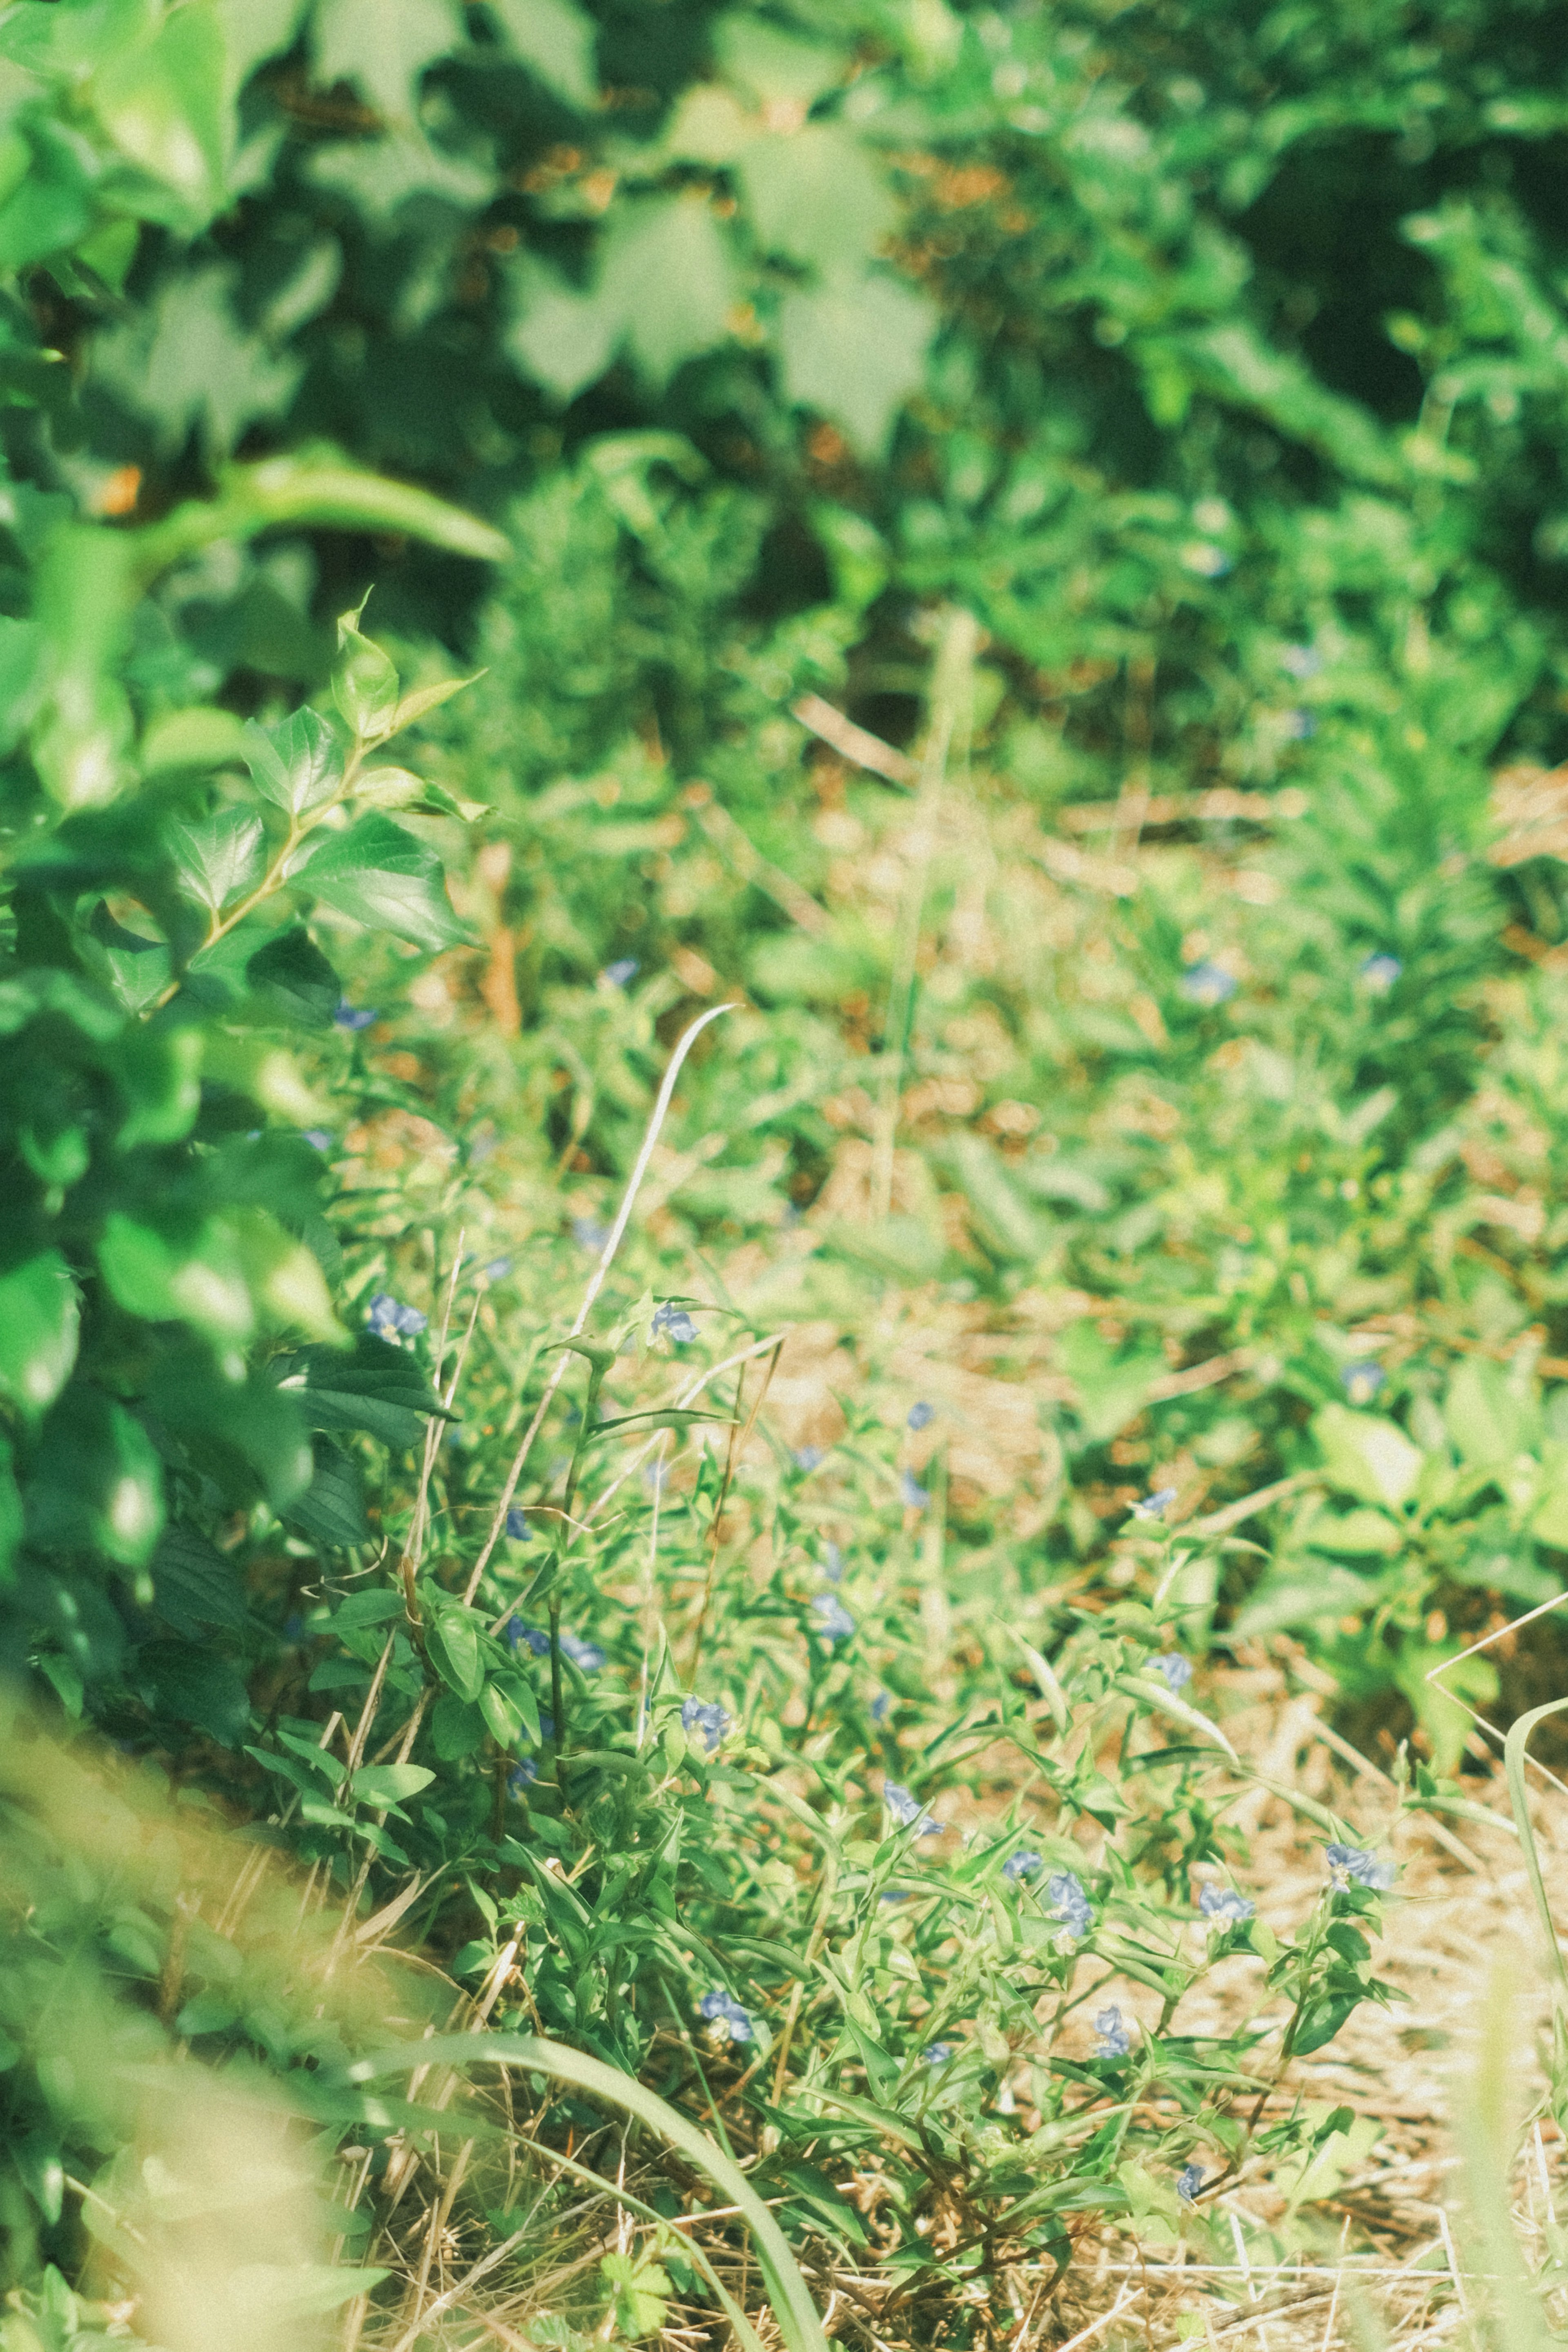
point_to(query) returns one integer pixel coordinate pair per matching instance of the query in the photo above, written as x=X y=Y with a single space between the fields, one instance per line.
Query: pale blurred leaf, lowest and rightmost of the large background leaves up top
x=855 y=352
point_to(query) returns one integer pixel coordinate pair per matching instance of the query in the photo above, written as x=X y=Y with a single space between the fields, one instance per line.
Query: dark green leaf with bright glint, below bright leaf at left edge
x=98 y=1481
